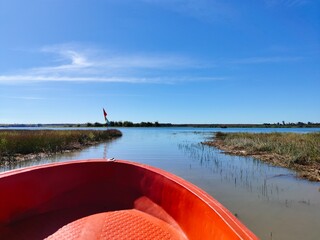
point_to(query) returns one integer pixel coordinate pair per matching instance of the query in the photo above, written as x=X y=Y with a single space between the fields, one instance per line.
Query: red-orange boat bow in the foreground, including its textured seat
x=100 y=199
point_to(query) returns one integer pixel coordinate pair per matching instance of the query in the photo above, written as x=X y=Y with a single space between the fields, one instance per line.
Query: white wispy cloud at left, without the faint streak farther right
x=91 y=65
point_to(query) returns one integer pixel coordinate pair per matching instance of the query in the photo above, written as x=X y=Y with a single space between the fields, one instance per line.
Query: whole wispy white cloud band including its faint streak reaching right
x=75 y=64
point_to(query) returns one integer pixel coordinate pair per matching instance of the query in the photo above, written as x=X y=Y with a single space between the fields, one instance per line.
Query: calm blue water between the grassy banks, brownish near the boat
x=271 y=201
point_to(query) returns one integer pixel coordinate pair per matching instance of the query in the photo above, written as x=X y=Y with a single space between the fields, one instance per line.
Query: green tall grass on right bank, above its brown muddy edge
x=294 y=147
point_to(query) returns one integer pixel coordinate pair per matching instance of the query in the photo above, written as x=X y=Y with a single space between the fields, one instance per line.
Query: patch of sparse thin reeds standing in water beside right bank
x=265 y=182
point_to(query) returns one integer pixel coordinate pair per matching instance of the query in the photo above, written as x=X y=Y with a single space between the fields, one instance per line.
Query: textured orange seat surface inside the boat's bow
x=121 y=224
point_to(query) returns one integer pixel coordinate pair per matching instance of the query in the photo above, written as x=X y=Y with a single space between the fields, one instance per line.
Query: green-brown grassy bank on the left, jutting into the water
x=14 y=143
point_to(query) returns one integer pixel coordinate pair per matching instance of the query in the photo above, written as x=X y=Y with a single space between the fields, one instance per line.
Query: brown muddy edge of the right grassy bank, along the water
x=309 y=171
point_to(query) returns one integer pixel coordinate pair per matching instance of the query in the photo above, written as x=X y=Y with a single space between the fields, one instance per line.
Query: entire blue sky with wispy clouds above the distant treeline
x=178 y=61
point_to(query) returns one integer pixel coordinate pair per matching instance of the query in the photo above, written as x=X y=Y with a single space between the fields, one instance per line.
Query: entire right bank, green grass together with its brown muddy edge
x=300 y=152
